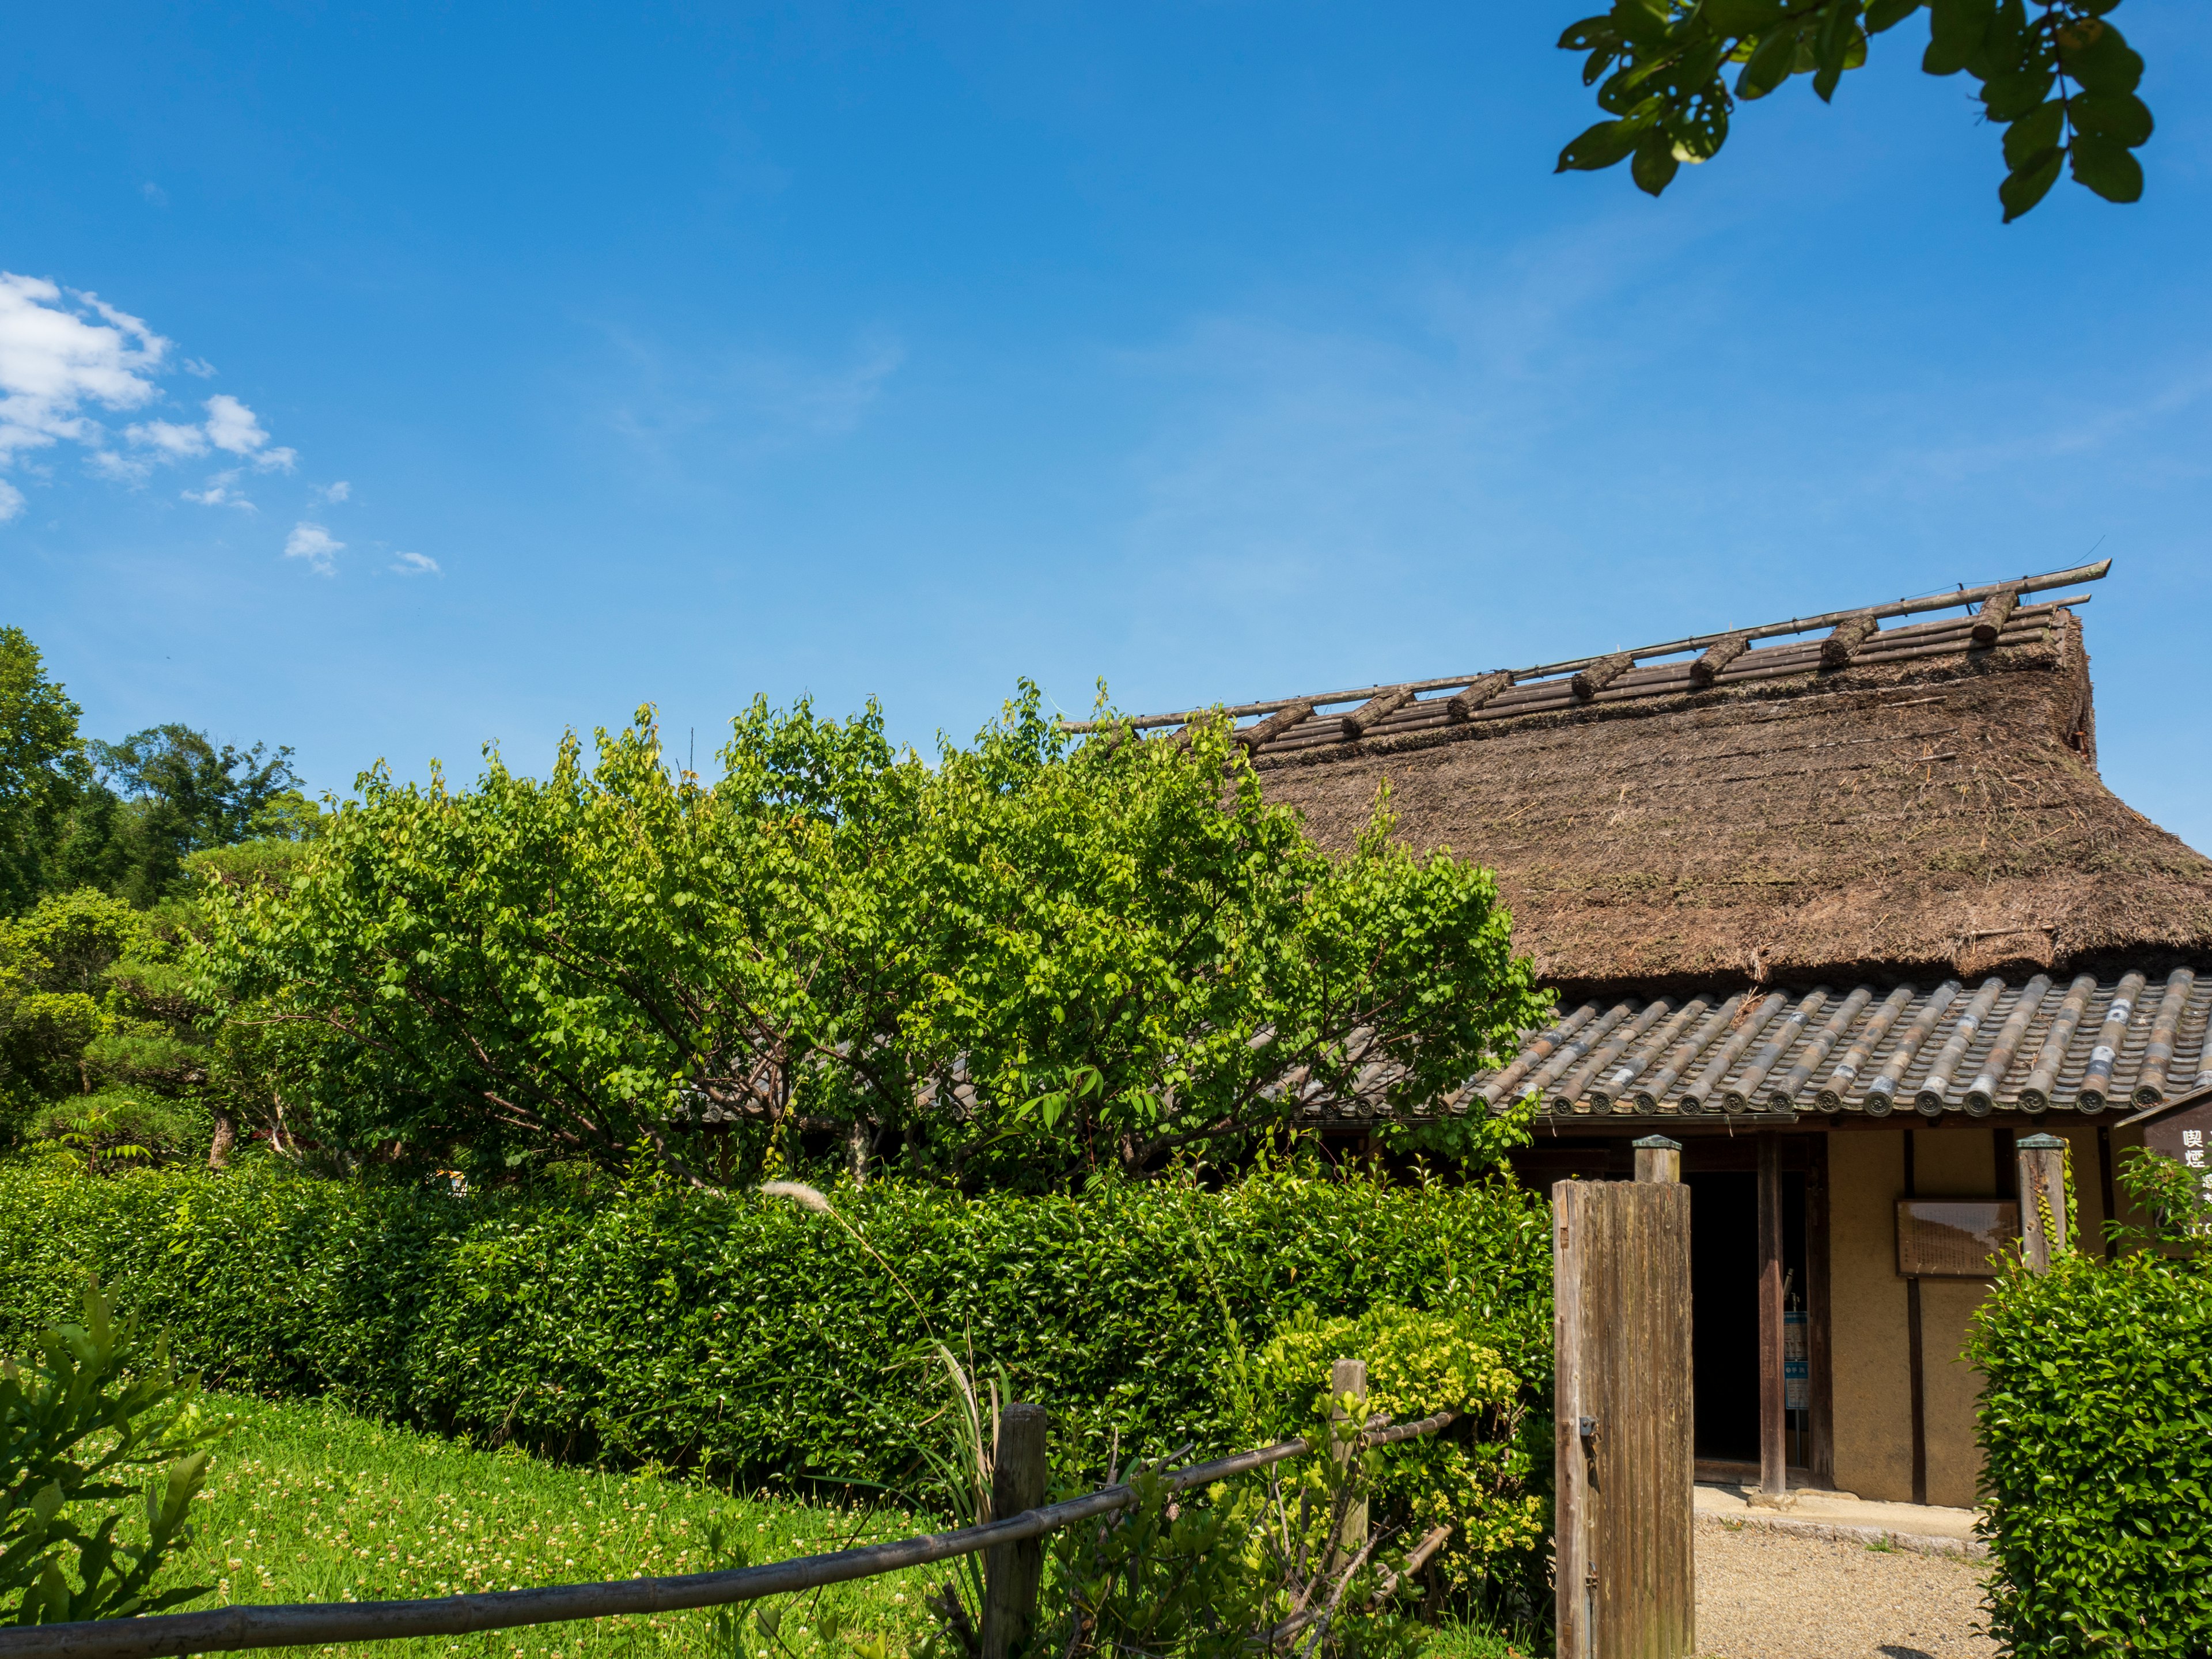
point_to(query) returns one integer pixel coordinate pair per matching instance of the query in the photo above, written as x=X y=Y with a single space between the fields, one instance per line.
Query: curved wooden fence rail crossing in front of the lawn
x=450 y=1616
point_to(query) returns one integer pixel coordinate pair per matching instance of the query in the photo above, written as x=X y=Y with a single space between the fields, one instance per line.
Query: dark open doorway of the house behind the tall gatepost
x=1724 y=1302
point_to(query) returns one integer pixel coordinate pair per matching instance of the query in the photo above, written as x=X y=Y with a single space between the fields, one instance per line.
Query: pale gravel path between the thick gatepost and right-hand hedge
x=1768 y=1596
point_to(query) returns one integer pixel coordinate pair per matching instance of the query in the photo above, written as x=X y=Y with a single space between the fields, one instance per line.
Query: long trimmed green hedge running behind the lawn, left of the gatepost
x=749 y=1337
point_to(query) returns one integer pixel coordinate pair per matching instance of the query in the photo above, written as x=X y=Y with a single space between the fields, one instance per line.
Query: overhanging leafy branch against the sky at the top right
x=2058 y=79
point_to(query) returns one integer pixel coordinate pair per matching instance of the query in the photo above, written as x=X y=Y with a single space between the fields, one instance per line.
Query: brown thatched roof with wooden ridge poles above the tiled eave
x=1897 y=793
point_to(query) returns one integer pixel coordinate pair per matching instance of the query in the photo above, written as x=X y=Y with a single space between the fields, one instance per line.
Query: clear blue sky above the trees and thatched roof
x=598 y=357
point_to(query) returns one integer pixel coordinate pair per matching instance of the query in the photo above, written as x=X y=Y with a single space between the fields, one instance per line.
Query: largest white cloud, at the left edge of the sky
x=61 y=355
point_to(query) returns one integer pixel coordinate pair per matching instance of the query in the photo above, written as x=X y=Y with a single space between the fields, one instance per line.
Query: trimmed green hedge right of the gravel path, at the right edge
x=2098 y=1437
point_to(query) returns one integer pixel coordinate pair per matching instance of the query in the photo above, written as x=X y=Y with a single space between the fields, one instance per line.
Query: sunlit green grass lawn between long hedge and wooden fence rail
x=309 y=1503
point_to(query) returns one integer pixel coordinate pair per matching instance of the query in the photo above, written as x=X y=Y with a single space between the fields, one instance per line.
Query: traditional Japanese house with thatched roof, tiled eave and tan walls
x=1841 y=906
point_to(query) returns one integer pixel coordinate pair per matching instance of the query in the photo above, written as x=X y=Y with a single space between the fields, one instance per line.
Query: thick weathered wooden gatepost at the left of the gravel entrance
x=1623 y=1415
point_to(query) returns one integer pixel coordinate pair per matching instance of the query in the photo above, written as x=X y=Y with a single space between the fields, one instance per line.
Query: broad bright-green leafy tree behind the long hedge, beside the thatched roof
x=1030 y=959
